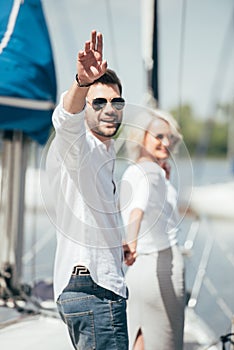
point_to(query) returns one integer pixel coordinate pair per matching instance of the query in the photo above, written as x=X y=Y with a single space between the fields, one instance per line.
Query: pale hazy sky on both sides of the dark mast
x=200 y=80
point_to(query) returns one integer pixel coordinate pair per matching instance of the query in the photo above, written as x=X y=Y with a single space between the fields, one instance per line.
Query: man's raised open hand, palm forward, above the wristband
x=90 y=65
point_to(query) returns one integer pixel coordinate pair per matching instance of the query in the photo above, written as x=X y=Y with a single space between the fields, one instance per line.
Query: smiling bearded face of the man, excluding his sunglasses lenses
x=103 y=123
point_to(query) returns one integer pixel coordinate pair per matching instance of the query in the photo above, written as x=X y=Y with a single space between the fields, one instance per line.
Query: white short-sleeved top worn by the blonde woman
x=144 y=186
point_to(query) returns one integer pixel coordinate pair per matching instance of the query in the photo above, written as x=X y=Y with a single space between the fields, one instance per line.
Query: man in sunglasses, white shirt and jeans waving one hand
x=88 y=279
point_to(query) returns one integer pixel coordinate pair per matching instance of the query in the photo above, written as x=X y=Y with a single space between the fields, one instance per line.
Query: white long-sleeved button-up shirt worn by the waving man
x=87 y=218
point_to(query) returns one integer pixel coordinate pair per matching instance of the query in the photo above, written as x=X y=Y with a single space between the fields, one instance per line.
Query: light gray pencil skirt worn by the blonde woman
x=157 y=300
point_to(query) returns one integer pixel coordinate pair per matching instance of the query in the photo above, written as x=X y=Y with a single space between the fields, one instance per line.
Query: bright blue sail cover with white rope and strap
x=27 y=73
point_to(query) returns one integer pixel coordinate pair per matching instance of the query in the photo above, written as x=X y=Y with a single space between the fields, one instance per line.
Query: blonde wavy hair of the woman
x=134 y=131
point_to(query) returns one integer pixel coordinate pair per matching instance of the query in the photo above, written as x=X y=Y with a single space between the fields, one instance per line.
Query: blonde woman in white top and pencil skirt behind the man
x=149 y=212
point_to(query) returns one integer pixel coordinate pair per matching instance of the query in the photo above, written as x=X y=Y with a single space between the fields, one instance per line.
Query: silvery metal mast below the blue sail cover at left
x=12 y=202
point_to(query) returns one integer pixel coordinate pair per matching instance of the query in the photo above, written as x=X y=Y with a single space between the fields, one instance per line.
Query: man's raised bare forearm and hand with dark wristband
x=90 y=66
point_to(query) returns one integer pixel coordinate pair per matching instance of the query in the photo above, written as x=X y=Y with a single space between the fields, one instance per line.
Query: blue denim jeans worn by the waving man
x=96 y=317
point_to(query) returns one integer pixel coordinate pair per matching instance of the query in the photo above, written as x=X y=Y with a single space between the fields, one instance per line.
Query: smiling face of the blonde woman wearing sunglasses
x=157 y=140
